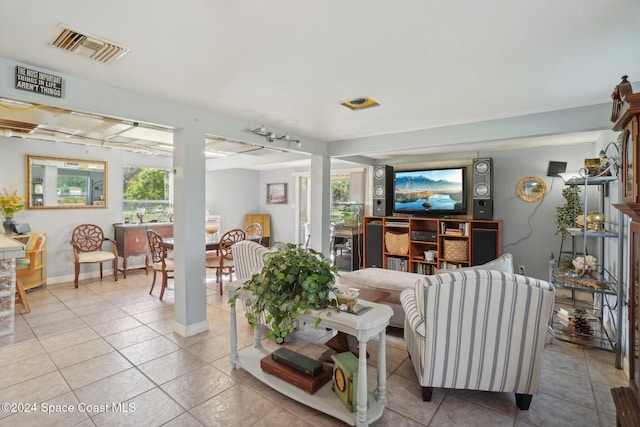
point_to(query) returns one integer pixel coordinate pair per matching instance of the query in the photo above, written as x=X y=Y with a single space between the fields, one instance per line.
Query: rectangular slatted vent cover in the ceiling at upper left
x=86 y=45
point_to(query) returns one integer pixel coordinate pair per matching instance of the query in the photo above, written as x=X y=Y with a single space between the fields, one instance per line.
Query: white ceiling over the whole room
x=290 y=64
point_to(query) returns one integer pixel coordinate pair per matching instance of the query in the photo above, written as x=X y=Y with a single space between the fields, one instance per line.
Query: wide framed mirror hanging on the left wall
x=63 y=183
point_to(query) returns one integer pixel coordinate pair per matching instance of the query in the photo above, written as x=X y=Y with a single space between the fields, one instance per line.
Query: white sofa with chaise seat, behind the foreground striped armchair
x=394 y=282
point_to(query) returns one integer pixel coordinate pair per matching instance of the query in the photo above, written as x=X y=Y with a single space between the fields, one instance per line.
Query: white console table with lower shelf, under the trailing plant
x=364 y=327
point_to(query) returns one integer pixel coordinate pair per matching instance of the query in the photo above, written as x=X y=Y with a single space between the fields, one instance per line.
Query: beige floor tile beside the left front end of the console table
x=195 y=387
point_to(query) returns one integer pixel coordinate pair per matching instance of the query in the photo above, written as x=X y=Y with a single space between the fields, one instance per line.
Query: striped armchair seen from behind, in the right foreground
x=478 y=330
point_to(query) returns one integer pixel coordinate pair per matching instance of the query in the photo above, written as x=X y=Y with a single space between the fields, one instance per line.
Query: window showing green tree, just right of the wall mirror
x=148 y=188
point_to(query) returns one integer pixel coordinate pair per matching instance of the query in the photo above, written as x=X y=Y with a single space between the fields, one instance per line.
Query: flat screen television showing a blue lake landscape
x=431 y=192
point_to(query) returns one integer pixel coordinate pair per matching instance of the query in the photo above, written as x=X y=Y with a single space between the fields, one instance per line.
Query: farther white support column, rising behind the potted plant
x=320 y=202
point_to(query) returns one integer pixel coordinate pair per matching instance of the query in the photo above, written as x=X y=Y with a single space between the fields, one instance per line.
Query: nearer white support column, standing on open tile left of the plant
x=188 y=231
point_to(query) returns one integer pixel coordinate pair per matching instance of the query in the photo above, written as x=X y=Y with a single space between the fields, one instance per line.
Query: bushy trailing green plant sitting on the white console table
x=292 y=281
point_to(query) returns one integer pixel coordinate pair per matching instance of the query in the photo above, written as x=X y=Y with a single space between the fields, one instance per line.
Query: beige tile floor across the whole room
x=108 y=342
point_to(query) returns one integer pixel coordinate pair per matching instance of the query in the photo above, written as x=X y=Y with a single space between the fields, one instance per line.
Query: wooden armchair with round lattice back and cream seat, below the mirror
x=87 y=241
